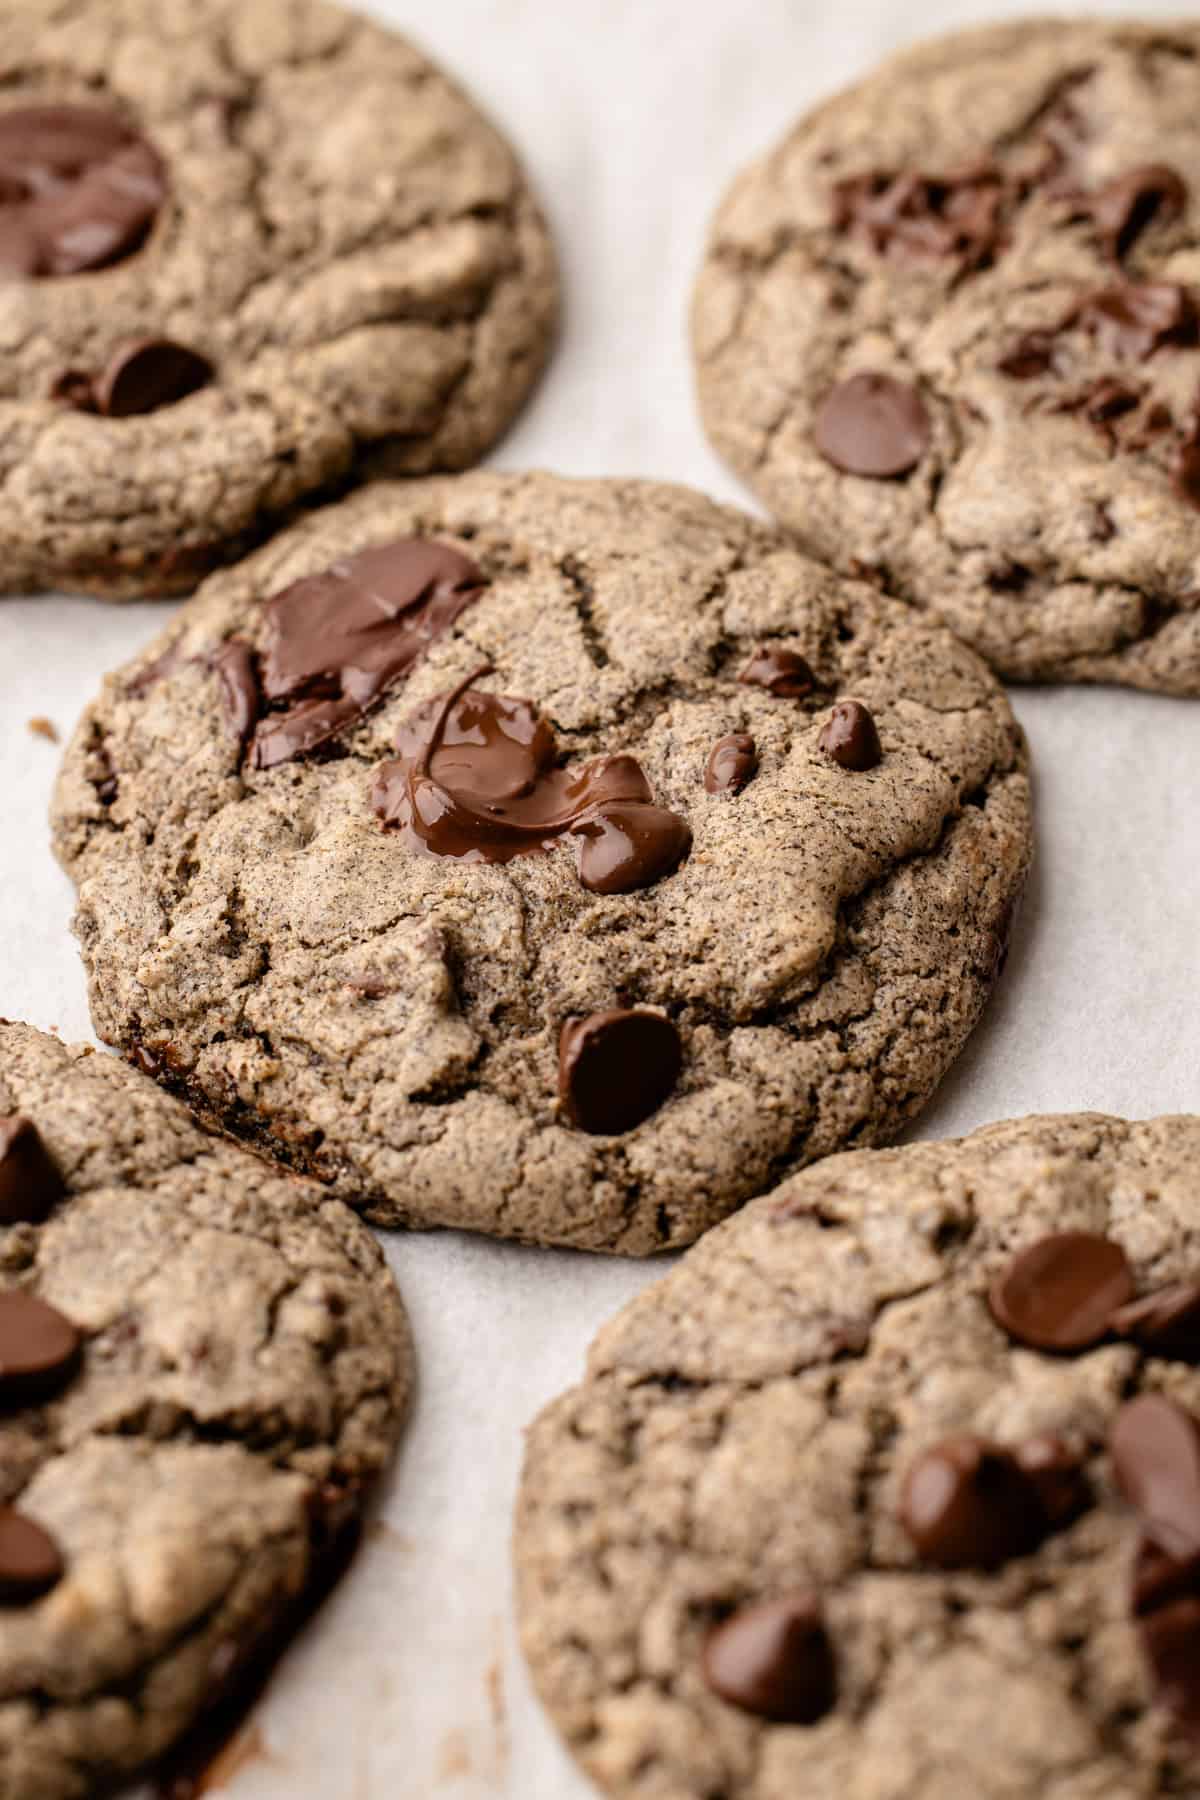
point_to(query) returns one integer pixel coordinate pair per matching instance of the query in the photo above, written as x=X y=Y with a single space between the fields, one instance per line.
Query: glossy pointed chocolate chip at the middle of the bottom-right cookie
x=969 y=1504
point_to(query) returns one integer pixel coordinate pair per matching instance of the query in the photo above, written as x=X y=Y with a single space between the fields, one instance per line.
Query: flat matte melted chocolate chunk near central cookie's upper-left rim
x=337 y=642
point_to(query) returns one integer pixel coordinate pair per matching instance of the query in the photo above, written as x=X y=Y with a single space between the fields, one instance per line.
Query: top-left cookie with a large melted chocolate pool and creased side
x=244 y=251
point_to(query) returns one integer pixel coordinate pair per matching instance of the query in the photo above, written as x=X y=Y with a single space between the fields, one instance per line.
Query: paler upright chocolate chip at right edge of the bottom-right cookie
x=1156 y=1461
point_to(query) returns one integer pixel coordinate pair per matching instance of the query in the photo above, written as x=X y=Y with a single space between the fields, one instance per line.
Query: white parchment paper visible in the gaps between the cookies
x=632 y=116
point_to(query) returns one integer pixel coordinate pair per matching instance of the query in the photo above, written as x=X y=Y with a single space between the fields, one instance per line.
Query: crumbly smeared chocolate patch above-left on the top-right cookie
x=917 y=219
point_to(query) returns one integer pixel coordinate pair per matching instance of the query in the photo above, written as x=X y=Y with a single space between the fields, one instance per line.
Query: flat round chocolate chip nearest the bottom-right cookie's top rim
x=1061 y=1291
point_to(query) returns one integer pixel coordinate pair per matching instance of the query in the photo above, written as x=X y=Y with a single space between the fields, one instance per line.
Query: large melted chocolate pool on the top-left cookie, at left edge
x=78 y=190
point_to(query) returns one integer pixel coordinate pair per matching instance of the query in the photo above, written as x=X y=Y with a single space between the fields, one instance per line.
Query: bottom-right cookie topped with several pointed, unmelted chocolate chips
x=893 y=1488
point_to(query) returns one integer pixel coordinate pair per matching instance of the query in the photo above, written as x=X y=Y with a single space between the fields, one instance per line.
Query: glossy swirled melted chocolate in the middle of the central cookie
x=478 y=778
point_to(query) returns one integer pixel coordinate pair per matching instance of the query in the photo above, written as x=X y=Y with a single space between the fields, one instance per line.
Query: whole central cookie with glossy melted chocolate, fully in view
x=548 y=858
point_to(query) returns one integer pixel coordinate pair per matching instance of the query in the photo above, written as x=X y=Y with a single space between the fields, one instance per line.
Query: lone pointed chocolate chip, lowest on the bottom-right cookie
x=775 y=1659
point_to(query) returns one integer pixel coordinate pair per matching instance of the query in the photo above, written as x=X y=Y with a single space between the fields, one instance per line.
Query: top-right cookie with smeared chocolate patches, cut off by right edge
x=949 y=332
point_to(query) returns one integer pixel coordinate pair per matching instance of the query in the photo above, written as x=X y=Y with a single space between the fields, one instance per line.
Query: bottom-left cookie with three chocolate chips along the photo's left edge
x=204 y=1363
